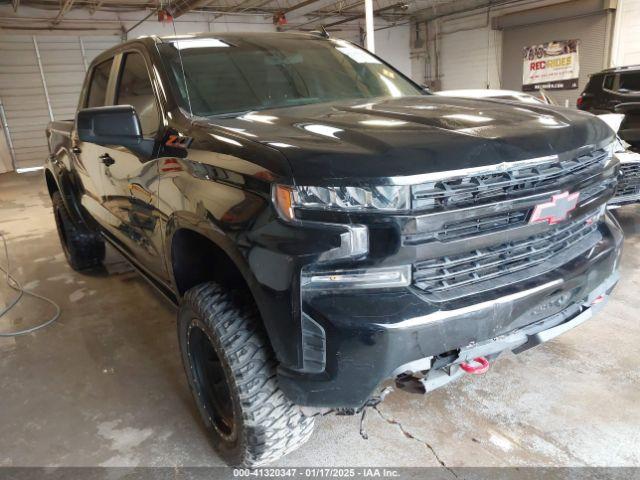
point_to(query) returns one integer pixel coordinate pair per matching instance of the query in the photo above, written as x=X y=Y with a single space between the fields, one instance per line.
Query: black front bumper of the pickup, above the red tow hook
x=366 y=337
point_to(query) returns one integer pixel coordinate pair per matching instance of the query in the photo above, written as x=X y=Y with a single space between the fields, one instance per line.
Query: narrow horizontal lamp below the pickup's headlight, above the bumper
x=385 y=277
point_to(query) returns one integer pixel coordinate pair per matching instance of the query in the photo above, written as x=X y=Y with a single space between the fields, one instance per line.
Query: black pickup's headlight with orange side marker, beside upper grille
x=360 y=199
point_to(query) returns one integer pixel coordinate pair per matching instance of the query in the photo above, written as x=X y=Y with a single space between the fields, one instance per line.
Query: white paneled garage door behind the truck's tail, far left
x=40 y=80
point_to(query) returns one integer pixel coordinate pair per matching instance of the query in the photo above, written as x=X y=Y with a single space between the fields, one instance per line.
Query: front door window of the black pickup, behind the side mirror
x=135 y=89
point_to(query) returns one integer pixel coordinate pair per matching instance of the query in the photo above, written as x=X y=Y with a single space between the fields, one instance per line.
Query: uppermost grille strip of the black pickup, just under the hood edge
x=493 y=186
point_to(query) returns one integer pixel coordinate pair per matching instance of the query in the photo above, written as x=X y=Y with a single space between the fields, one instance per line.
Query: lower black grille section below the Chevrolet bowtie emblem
x=441 y=275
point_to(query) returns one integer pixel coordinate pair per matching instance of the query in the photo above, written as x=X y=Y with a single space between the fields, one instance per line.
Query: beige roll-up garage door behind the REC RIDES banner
x=590 y=30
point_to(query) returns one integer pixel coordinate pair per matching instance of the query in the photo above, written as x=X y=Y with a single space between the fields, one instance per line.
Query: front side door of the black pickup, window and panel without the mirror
x=130 y=180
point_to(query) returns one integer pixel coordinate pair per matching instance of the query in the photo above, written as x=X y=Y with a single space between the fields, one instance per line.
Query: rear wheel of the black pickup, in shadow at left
x=84 y=248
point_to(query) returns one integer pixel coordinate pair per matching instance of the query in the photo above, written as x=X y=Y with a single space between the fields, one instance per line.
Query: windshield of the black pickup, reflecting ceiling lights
x=239 y=75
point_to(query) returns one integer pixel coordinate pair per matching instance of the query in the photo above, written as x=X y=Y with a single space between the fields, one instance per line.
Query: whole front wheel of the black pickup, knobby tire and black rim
x=232 y=374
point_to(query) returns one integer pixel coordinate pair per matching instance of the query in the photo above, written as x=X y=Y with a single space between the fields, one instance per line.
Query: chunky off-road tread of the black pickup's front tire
x=273 y=426
